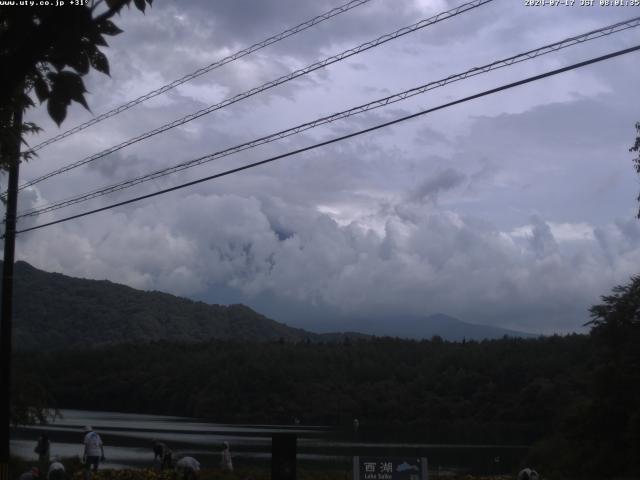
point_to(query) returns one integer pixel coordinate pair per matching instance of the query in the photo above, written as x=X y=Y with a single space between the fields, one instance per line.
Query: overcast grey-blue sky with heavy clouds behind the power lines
x=515 y=210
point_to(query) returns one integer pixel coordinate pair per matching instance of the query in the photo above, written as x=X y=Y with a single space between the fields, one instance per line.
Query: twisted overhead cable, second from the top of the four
x=298 y=73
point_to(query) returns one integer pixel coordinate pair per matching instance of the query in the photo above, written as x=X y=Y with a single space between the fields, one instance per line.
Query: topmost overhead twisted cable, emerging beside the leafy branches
x=201 y=71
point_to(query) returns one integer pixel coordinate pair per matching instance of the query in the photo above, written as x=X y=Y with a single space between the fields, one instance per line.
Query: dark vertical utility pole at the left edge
x=7 y=292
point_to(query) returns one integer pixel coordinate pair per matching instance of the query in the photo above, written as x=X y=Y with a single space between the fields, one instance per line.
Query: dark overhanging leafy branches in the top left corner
x=46 y=51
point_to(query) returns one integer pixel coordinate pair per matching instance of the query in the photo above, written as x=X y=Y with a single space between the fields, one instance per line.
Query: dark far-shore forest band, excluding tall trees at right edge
x=495 y=391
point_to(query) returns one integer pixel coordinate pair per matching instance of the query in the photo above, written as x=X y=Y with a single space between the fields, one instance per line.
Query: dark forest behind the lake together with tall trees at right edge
x=576 y=399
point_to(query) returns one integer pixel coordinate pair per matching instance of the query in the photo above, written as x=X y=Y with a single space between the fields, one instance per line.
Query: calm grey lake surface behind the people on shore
x=128 y=437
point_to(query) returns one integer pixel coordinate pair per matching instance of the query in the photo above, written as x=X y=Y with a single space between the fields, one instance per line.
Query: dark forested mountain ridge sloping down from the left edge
x=53 y=311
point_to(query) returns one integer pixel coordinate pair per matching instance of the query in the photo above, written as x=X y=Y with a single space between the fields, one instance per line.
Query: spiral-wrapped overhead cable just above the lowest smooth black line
x=531 y=54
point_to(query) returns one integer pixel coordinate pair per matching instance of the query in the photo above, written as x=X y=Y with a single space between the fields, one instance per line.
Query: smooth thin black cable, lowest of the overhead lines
x=341 y=138
